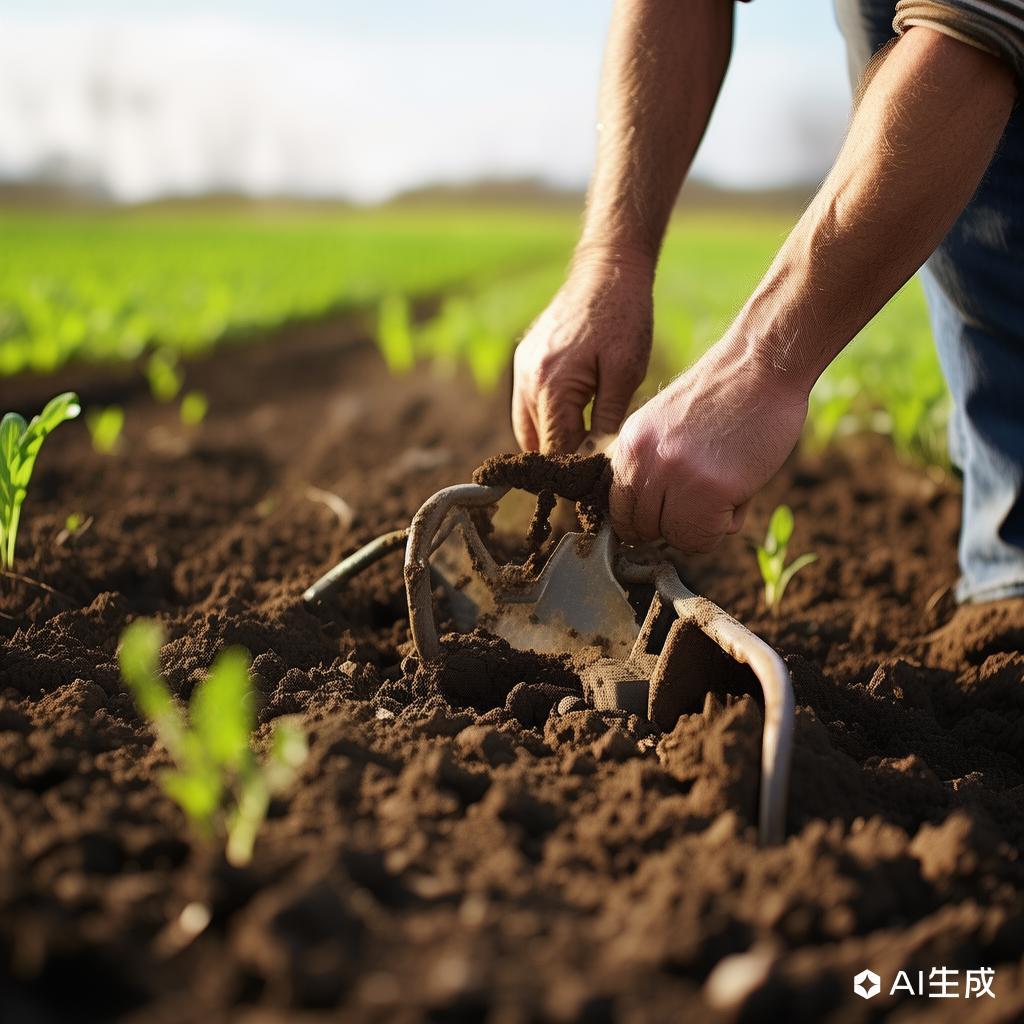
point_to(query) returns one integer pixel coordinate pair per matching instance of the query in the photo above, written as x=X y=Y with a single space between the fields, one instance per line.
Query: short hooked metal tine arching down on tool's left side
x=424 y=529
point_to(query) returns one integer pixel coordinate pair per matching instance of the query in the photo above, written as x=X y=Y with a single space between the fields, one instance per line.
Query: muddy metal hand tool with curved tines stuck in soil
x=660 y=664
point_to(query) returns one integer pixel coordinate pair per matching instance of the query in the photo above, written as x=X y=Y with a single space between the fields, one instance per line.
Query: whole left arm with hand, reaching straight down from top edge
x=664 y=66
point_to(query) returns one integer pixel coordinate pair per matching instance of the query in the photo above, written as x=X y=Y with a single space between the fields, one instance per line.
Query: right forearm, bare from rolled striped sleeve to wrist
x=921 y=140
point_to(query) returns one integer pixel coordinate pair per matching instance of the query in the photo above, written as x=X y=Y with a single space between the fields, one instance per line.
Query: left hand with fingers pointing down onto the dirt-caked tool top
x=593 y=342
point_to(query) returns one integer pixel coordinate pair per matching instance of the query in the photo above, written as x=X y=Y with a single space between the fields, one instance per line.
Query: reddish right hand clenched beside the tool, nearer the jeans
x=688 y=462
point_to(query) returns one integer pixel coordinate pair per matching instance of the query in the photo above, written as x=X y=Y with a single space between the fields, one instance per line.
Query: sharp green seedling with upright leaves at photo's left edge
x=20 y=444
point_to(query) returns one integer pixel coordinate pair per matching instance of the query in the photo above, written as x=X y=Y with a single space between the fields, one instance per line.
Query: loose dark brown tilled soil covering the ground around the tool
x=468 y=840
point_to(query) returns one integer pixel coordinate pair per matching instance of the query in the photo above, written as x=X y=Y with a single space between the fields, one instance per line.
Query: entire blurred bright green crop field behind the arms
x=111 y=287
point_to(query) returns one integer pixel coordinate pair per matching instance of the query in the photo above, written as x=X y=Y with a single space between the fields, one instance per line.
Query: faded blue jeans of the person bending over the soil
x=974 y=283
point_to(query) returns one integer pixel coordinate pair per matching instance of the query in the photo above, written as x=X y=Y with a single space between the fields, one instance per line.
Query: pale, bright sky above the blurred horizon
x=327 y=98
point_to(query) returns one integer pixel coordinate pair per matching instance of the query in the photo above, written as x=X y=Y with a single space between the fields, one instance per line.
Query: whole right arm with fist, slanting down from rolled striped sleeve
x=922 y=137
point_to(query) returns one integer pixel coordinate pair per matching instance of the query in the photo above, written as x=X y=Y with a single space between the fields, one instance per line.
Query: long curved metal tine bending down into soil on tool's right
x=746 y=648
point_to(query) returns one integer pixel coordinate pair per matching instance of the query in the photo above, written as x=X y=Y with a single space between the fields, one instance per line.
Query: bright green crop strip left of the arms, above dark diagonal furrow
x=109 y=288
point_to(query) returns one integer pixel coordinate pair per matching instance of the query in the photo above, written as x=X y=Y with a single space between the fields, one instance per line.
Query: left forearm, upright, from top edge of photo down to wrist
x=664 y=67
